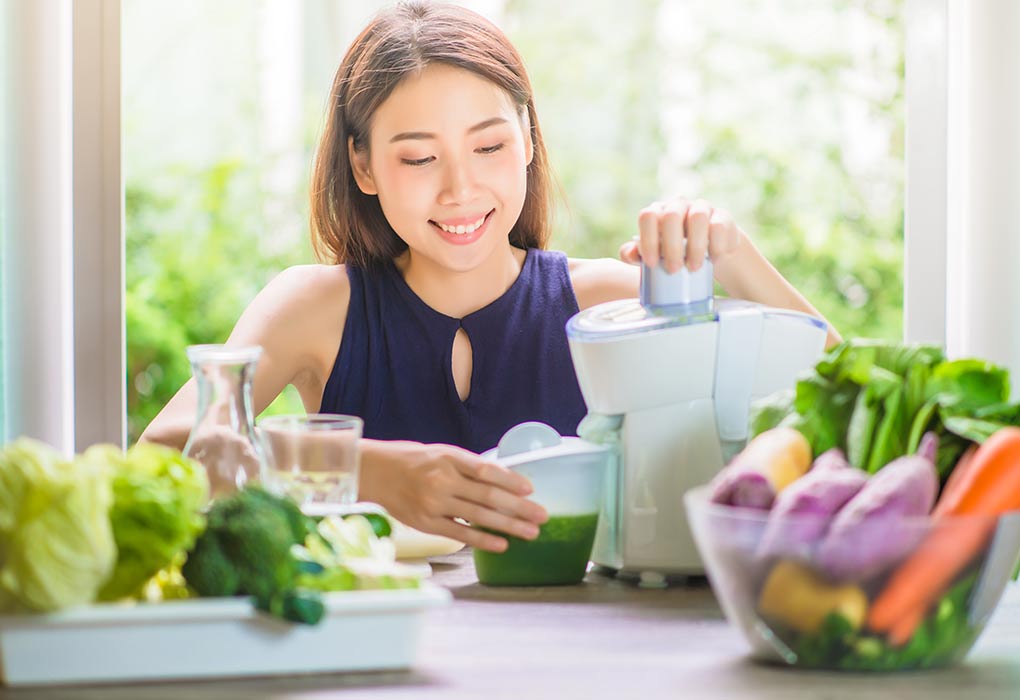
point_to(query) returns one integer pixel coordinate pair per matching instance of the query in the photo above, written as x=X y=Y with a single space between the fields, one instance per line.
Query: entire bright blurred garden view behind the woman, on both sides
x=787 y=113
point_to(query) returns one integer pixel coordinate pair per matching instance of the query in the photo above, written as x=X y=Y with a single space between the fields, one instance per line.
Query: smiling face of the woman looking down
x=448 y=159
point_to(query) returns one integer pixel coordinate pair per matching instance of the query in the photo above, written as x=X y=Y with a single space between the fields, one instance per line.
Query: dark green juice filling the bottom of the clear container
x=557 y=558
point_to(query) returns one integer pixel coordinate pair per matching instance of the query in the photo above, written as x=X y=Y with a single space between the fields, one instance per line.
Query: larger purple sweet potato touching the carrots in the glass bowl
x=871 y=533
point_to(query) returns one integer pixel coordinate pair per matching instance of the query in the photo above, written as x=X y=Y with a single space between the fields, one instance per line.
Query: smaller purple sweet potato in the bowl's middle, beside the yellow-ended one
x=803 y=512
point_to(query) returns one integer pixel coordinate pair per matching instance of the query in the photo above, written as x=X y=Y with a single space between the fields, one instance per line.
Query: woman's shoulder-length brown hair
x=348 y=227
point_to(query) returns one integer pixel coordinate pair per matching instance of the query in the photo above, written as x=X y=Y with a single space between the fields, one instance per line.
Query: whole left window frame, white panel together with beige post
x=63 y=229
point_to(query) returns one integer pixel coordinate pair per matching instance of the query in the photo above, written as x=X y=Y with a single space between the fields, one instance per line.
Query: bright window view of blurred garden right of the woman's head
x=789 y=114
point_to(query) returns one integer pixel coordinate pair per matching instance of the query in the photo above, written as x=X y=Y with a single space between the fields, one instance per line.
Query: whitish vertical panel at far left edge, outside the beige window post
x=37 y=295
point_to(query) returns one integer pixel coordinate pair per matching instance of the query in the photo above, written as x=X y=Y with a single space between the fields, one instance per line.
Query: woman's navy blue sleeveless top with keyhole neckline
x=394 y=367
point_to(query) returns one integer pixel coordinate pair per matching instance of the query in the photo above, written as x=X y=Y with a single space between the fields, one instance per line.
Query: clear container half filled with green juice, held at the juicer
x=568 y=475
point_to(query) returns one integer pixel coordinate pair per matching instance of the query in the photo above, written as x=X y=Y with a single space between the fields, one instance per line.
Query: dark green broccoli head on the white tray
x=246 y=551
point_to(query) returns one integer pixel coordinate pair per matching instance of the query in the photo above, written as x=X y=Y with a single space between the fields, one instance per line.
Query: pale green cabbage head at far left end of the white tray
x=57 y=544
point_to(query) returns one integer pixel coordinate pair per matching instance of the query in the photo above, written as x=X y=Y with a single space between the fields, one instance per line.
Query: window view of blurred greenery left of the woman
x=217 y=152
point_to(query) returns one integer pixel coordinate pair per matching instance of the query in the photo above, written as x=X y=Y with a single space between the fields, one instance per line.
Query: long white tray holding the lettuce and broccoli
x=215 y=637
